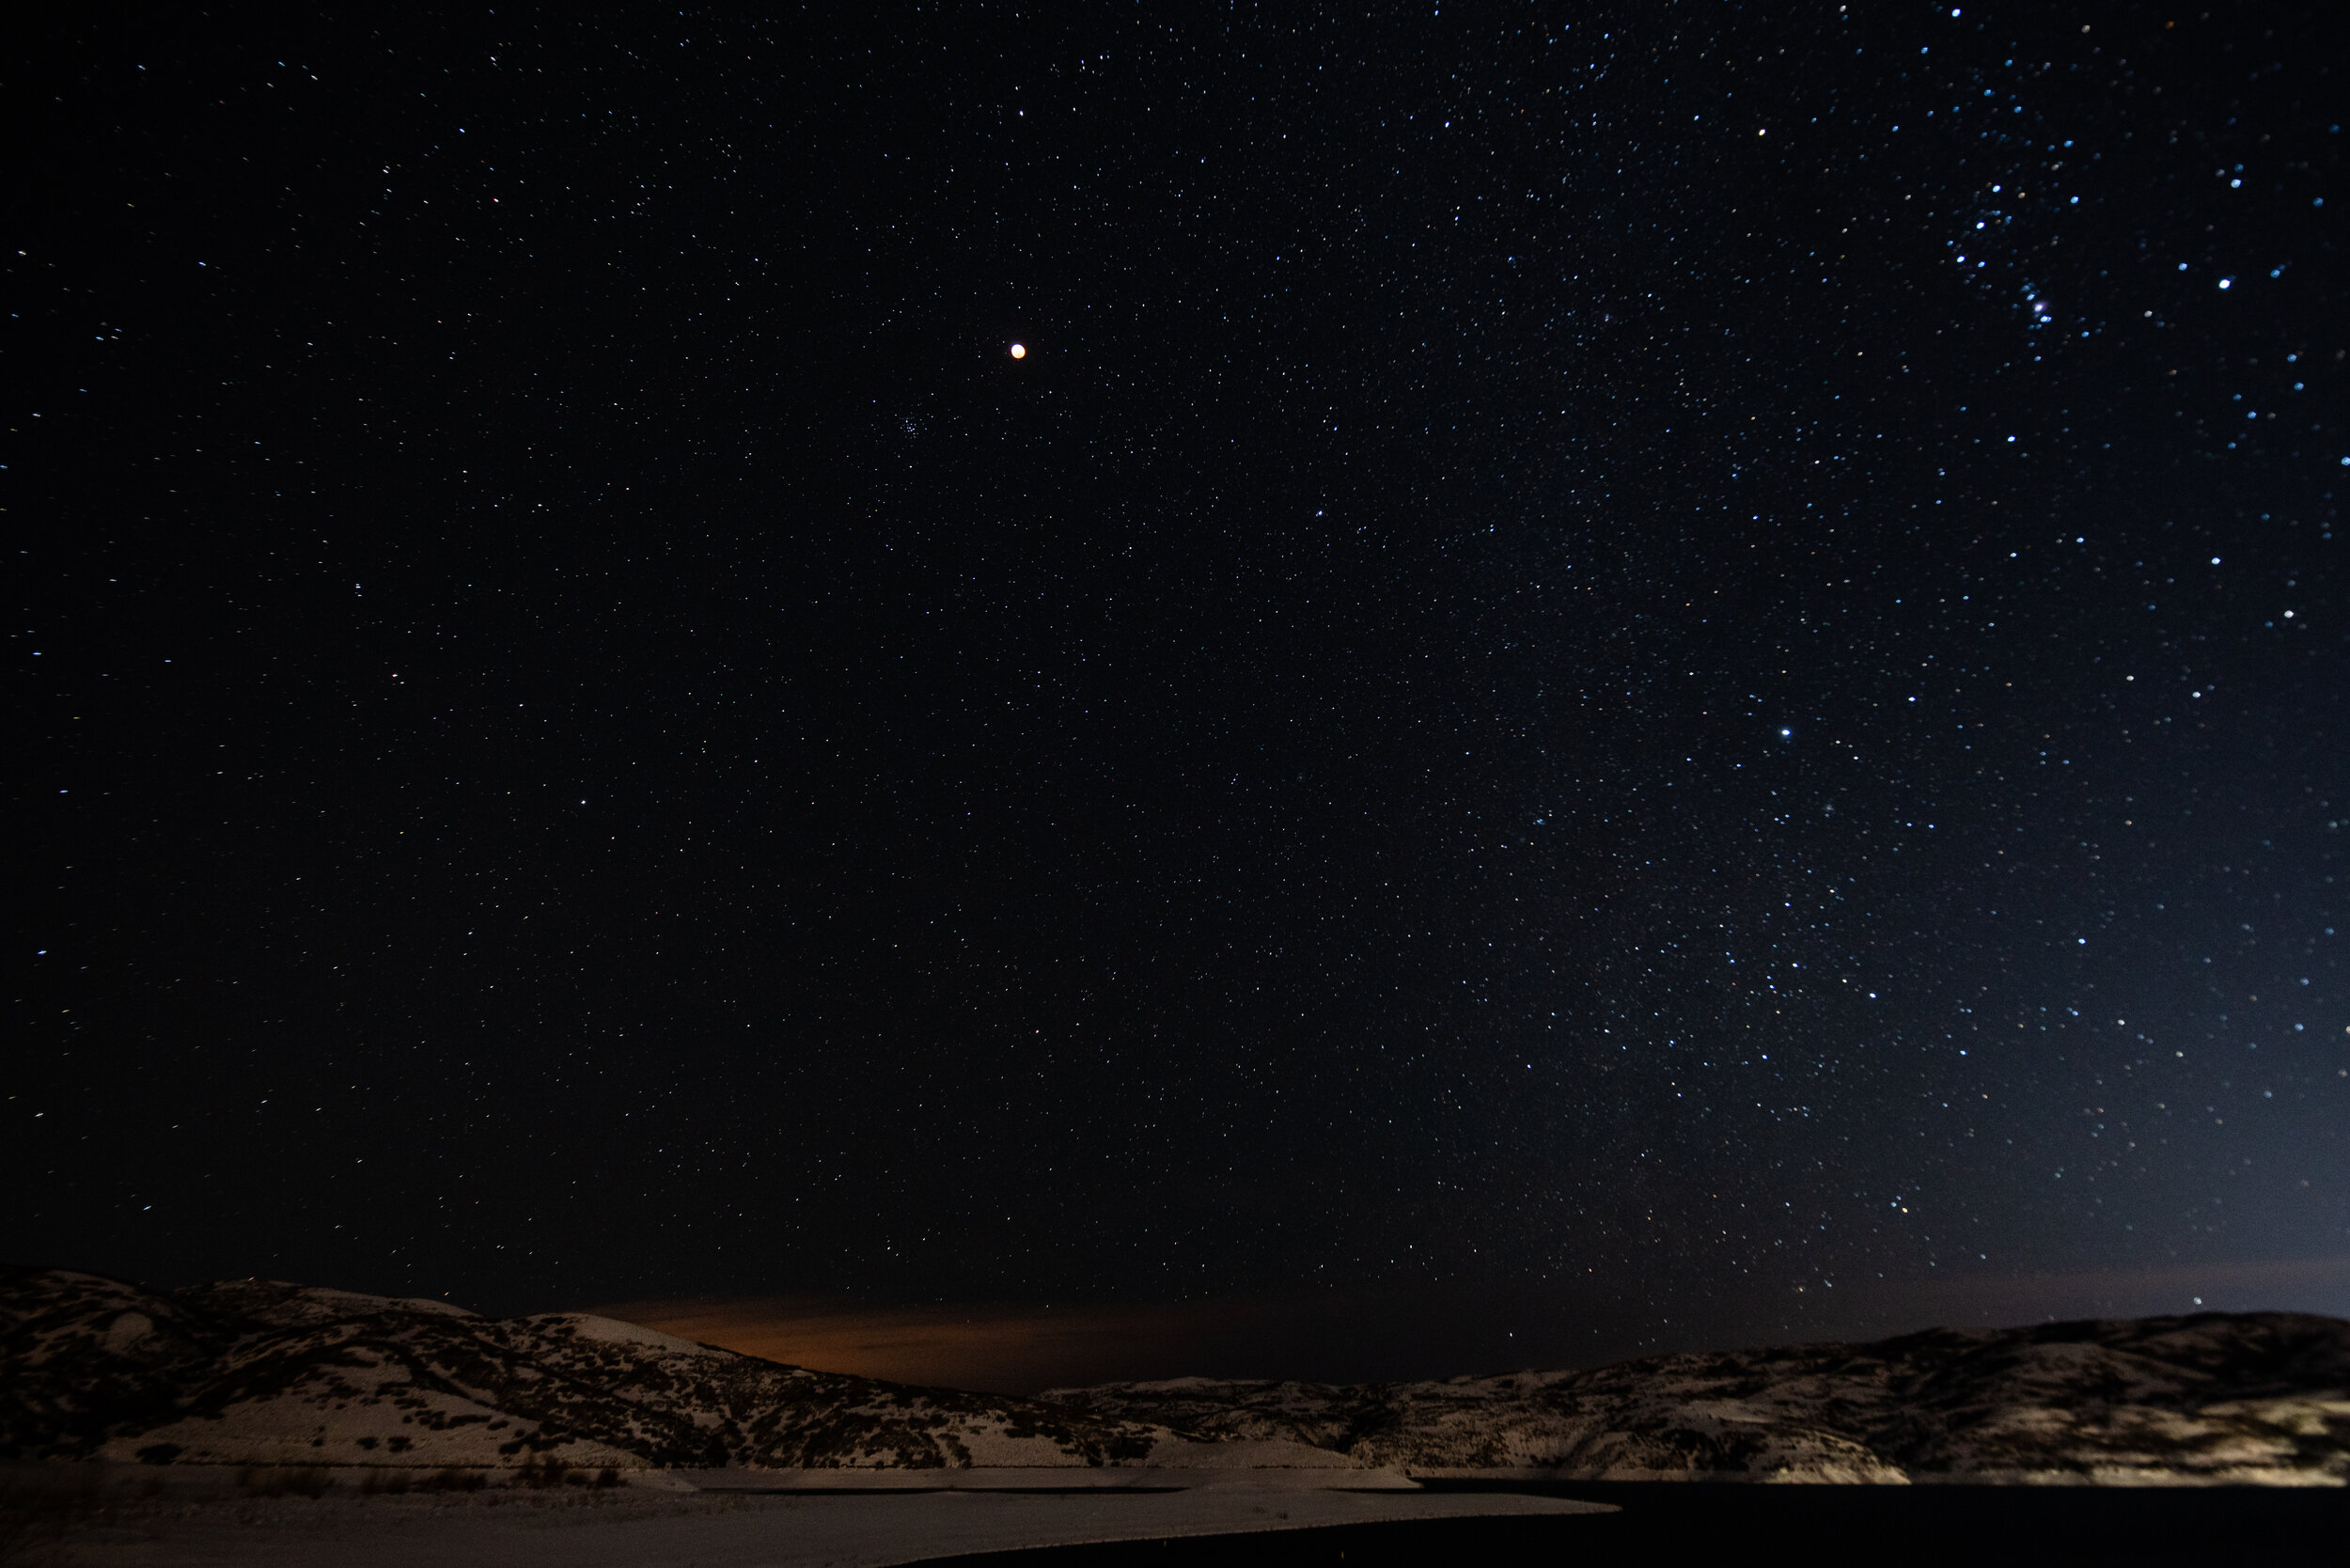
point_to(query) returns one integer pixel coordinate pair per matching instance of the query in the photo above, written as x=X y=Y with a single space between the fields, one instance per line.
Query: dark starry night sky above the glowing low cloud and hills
x=1688 y=657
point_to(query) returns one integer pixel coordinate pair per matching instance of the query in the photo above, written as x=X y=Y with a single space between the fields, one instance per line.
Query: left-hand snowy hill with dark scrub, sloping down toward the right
x=271 y=1374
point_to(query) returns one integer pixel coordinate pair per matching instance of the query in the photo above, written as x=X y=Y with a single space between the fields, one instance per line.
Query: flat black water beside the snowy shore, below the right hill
x=1893 y=1527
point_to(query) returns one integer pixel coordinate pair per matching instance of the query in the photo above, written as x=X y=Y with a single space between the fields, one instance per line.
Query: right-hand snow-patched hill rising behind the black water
x=2257 y=1398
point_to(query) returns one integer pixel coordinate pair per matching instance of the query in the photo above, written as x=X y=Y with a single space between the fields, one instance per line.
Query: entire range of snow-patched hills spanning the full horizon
x=274 y=1374
